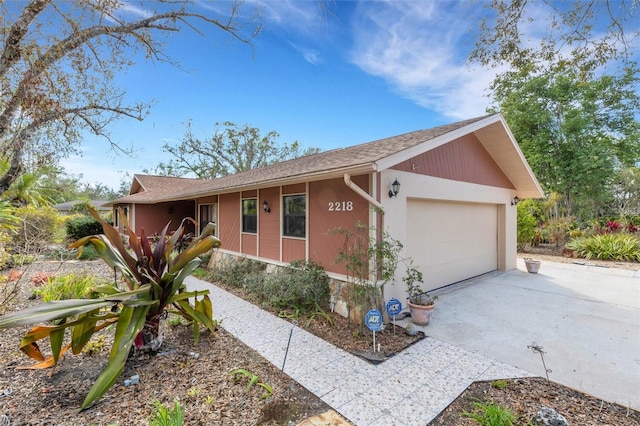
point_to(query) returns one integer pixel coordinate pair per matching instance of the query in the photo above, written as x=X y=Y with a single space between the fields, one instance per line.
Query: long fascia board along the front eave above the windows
x=322 y=175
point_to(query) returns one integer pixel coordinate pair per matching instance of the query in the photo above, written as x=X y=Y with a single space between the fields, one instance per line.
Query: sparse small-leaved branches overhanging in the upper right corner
x=526 y=33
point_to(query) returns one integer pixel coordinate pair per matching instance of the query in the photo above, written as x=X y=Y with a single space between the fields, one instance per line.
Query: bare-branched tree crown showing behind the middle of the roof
x=231 y=149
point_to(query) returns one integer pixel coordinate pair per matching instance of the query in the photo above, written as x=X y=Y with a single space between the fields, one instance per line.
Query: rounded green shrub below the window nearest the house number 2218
x=300 y=286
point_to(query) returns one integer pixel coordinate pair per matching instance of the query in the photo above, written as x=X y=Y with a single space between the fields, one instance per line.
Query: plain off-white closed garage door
x=451 y=242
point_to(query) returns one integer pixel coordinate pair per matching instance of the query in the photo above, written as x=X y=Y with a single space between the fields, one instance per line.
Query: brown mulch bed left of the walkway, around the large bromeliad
x=198 y=376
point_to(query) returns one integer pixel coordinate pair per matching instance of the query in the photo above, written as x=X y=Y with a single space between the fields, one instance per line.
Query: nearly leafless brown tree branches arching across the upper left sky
x=40 y=95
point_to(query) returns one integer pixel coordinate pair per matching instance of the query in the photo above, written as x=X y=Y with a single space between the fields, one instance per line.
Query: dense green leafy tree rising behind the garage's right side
x=574 y=132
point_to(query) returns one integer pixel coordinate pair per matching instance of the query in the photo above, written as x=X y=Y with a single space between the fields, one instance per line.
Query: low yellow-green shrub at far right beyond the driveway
x=618 y=246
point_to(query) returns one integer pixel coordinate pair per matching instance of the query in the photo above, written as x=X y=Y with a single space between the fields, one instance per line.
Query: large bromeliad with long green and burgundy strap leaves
x=154 y=279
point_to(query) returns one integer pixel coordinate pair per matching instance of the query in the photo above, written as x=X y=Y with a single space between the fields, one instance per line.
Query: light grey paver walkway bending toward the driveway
x=411 y=388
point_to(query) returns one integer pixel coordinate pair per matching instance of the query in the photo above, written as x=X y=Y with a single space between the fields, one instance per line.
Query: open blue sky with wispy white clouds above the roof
x=352 y=73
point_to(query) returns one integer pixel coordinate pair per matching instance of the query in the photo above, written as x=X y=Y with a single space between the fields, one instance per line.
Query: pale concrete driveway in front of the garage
x=586 y=319
